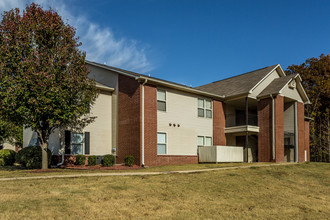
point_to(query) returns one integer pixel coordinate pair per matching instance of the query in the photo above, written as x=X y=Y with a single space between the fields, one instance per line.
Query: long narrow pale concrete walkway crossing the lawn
x=139 y=173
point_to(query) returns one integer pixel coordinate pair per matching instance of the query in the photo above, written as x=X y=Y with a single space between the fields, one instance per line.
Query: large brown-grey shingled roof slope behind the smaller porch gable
x=237 y=85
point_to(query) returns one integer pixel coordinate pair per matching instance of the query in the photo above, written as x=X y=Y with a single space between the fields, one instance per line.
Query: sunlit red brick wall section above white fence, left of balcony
x=219 y=123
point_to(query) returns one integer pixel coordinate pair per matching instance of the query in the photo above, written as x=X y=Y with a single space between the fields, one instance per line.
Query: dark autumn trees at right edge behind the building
x=315 y=75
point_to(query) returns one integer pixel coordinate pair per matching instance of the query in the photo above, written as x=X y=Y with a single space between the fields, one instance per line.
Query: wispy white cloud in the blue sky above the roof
x=100 y=43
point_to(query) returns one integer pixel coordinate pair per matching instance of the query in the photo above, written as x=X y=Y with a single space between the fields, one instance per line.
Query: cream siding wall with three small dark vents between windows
x=181 y=109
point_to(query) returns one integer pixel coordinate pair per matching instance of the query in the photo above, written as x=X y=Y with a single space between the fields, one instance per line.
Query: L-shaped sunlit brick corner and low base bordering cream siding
x=150 y=134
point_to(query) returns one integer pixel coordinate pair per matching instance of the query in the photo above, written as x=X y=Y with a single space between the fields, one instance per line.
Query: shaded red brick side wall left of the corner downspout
x=129 y=119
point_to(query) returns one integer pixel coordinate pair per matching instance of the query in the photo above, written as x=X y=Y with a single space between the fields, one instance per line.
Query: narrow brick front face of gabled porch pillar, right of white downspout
x=279 y=128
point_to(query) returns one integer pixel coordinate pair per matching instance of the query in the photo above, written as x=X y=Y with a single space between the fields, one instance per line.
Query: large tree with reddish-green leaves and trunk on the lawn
x=44 y=81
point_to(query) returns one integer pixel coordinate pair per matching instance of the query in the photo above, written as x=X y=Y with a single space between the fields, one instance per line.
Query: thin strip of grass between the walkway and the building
x=19 y=172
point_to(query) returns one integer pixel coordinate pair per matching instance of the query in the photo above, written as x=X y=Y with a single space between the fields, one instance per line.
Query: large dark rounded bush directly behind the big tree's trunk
x=31 y=157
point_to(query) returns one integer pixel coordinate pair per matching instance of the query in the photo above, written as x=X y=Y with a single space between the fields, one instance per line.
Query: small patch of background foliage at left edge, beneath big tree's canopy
x=11 y=133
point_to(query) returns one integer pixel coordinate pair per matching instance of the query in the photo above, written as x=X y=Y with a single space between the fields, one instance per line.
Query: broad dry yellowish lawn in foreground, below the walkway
x=299 y=191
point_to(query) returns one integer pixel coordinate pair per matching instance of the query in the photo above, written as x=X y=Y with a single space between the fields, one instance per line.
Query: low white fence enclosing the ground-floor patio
x=214 y=154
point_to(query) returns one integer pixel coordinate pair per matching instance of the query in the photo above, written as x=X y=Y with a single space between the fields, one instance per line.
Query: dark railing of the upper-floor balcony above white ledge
x=233 y=120
